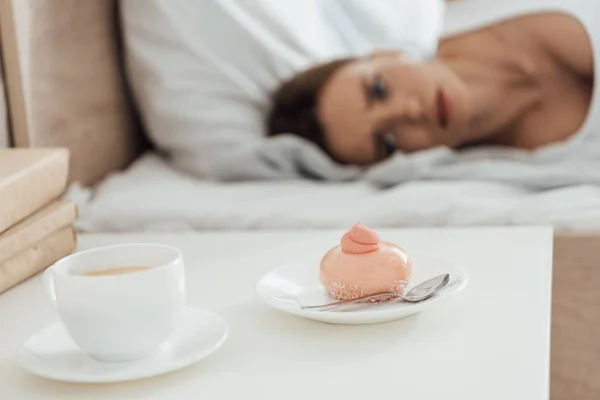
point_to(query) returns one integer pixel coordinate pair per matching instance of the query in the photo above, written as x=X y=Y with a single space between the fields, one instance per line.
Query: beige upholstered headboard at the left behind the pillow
x=65 y=85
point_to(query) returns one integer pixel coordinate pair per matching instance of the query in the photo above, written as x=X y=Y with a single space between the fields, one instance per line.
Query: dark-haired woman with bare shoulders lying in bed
x=524 y=81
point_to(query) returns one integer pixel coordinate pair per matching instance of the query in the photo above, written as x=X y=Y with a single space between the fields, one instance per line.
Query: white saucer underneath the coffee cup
x=52 y=354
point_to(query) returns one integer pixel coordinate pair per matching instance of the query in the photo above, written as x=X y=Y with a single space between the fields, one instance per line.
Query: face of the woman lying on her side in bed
x=372 y=107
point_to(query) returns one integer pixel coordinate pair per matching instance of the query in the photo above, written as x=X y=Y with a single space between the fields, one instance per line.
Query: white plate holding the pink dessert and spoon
x=289 y=287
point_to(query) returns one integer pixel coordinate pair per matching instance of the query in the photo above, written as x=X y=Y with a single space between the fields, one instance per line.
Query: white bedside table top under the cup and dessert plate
x=489 y=342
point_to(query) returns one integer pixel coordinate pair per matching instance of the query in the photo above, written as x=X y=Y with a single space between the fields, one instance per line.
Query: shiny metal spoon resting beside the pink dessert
x=421 y=292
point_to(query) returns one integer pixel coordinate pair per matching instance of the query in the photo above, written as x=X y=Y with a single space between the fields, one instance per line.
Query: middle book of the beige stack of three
x=51 y=218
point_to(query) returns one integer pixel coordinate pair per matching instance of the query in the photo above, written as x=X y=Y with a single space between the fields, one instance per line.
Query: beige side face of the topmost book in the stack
x=38 y=185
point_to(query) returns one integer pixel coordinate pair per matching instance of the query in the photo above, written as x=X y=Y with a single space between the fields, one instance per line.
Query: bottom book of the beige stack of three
x=37 y=258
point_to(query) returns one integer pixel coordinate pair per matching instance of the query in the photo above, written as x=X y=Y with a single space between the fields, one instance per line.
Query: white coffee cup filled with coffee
x=119 y=317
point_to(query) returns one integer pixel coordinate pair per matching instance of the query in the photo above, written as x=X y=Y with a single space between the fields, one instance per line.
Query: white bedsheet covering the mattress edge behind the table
x=151 y=195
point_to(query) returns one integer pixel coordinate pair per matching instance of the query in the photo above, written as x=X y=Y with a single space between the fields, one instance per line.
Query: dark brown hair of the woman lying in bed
x=294 y=103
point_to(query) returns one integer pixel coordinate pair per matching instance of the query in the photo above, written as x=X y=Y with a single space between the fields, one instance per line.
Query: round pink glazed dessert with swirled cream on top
x=363 y=265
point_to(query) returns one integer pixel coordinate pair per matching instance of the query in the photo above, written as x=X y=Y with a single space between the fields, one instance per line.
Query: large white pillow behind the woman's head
x=202 y=71
